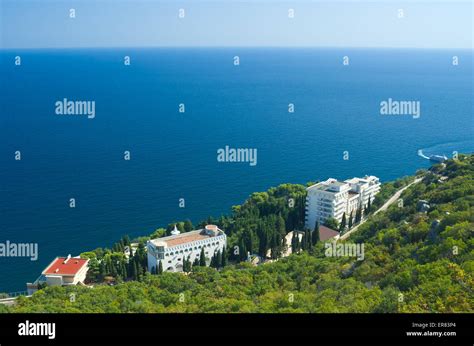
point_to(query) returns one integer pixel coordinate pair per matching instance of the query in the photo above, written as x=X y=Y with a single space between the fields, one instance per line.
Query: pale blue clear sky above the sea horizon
x=224 y=23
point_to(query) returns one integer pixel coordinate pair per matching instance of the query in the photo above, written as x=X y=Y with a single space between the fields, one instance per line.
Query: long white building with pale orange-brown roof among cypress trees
x=174 y=249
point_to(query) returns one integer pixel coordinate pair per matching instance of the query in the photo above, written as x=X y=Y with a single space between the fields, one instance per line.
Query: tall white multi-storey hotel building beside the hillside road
x=332 y=198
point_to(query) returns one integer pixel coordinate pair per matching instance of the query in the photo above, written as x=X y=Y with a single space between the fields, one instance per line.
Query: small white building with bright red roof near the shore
x=63 y=271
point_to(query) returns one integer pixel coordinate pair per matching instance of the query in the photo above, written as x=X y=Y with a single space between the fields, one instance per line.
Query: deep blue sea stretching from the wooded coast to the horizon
x=174 y=155
